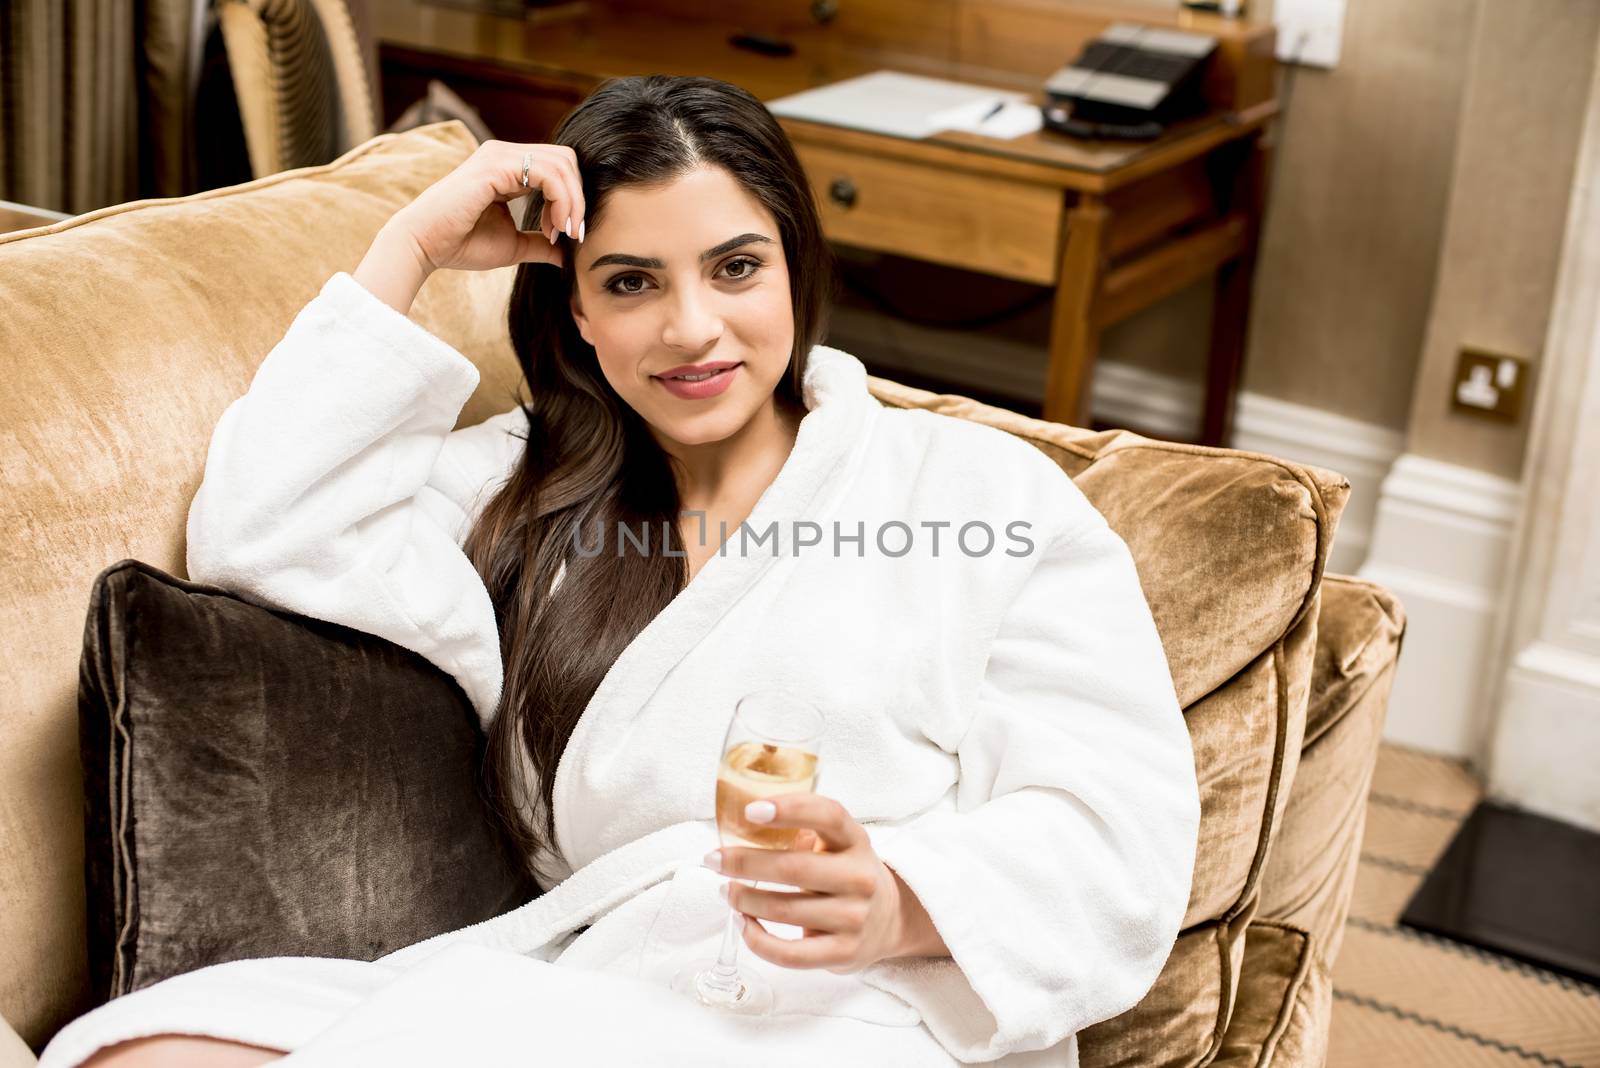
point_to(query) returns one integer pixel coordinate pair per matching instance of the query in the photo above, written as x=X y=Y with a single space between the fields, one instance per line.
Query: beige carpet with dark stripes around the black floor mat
x=1409 y=1000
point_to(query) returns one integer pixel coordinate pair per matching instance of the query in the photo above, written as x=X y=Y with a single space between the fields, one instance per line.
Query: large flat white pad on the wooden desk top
x=894 y=103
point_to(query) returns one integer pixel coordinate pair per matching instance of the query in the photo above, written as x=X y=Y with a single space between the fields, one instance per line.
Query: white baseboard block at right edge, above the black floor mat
x=1550 y=735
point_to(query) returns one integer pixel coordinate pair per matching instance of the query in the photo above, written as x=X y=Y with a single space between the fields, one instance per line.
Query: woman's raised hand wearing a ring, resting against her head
x=462 y=221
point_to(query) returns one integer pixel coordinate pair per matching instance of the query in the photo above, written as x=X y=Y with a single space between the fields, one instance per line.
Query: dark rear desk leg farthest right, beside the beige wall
x=1231 y=303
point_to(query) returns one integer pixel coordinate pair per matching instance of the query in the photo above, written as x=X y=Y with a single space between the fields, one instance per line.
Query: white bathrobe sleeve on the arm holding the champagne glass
x=1062 y=879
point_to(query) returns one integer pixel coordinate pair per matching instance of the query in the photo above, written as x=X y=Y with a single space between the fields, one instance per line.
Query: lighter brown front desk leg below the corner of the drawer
x=1074 y=337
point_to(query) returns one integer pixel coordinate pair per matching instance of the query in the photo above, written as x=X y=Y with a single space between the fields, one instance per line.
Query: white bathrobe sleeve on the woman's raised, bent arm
x=335 y=487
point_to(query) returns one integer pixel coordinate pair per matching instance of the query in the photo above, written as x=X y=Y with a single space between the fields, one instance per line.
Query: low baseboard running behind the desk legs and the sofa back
x=1159 y=405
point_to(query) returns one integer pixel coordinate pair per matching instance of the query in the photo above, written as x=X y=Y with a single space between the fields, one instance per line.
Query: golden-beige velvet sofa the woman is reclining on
x=127 y=333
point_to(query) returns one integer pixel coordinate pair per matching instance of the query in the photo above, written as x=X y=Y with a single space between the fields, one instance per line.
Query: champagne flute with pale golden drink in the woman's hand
x=772 y=747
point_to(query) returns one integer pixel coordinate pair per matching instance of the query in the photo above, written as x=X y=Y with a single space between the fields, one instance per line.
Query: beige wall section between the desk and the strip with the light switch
x=1358 y=212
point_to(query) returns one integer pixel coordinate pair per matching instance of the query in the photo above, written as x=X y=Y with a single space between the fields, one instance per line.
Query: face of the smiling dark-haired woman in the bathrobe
x=690 y=273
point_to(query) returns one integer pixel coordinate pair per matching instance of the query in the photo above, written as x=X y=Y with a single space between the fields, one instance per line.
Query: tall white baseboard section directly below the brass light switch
x=1441 y=543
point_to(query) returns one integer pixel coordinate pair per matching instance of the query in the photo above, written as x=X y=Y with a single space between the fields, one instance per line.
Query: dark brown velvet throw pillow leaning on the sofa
x=262 y=784
